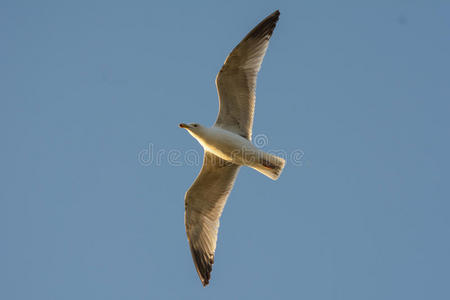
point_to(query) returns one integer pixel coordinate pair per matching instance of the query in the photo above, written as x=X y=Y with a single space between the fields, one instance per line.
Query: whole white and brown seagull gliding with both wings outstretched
x=227 y=145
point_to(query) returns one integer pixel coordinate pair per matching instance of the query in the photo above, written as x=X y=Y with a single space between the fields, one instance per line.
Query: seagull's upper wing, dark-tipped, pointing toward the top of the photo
x=236 y=81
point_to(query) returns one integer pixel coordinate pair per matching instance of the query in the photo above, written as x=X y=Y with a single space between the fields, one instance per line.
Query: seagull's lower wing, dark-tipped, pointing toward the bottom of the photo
x=204 y=202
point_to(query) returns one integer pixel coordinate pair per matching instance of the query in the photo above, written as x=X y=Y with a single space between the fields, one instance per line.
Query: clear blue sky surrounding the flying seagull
x=360 y=87
